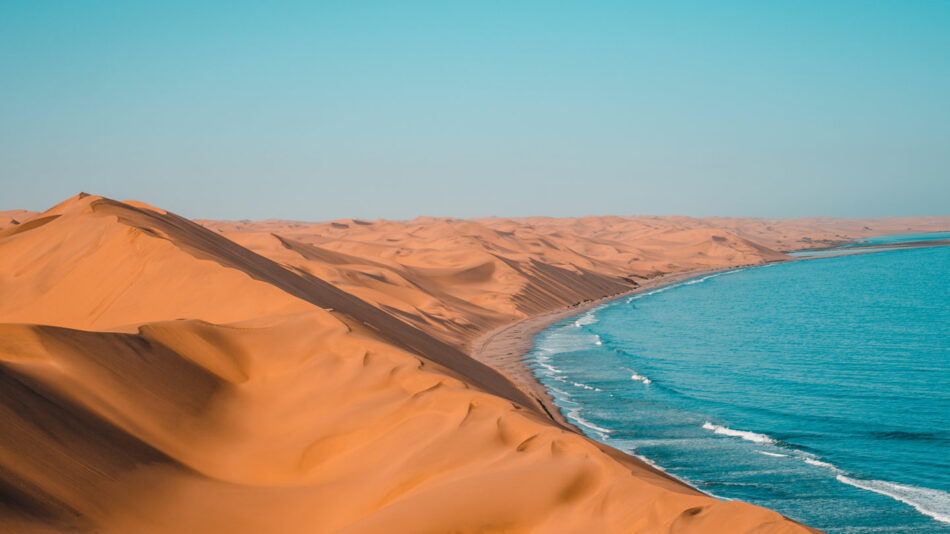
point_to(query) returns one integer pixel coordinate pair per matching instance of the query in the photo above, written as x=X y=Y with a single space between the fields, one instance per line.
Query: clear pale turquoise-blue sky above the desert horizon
x=319 y=110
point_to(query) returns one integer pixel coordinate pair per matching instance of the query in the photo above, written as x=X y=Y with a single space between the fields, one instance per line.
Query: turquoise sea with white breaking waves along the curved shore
x=818 y=388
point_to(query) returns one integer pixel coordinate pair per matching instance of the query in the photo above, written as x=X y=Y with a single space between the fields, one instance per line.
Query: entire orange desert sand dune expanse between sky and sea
x=161 y=375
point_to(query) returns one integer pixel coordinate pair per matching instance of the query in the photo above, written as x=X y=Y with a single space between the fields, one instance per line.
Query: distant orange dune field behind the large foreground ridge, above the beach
x=457 y=279
